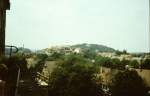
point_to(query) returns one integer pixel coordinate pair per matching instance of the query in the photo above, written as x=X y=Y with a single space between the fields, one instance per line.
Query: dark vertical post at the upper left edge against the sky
x=4 y=5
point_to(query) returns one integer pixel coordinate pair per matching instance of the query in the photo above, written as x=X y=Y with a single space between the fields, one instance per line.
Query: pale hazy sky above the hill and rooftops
x=120 y=24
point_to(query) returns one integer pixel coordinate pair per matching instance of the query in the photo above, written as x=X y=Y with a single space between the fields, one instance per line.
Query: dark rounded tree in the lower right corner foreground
x=128 y=83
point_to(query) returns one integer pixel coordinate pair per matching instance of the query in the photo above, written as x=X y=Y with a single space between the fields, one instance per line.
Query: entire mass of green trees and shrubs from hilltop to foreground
x=75 y=74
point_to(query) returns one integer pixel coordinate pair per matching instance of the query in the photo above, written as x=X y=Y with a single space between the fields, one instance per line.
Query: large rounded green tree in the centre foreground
x=74 y=77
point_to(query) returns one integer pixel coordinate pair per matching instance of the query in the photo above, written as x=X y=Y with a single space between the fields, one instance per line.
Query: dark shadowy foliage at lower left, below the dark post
x=9 y=71
